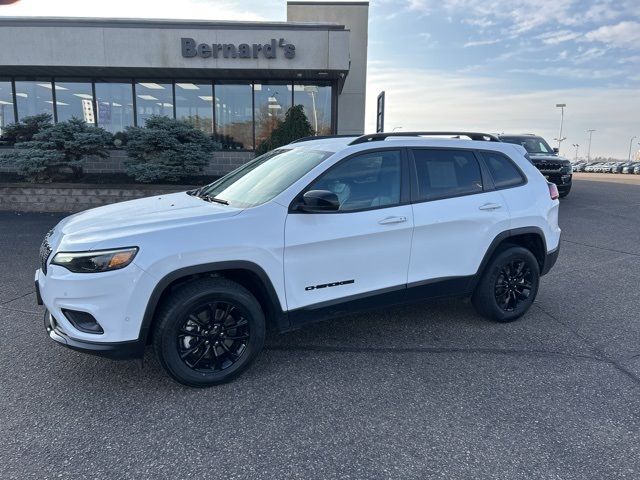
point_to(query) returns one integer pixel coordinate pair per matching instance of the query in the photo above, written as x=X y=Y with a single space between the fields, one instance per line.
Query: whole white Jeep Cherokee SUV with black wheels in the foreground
x=319 y=228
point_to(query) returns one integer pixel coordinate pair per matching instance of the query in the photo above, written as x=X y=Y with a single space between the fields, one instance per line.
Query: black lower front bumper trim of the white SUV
x=116 y=350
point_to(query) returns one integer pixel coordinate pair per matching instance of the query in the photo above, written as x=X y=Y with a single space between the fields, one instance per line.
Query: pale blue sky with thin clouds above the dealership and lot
x=493 y=66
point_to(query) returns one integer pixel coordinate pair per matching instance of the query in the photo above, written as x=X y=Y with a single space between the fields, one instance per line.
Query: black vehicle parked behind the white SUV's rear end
x=555 y=168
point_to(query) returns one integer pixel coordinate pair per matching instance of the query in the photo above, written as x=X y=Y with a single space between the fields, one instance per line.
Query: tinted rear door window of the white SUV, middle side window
x=446 y=173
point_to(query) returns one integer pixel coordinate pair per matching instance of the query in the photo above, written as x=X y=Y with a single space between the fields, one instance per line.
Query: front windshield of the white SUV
x=264 y=177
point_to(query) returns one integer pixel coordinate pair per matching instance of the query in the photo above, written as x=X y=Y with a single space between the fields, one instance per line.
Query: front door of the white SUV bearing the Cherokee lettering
x=360 y=249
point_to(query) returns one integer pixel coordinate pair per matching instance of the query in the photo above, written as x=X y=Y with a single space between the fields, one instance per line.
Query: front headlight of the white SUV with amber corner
x=96 y=261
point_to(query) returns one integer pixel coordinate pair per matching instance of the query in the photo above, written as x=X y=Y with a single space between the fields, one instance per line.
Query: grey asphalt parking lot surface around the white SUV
x=423 y=391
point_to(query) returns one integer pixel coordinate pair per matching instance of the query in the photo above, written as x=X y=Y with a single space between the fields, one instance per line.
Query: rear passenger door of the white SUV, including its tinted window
x=456 y=218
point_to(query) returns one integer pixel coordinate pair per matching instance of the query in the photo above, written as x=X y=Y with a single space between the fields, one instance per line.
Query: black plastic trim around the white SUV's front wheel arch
x=248 y=274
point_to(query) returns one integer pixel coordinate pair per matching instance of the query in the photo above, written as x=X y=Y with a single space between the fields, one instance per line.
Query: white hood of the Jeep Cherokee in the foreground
x=139 y=216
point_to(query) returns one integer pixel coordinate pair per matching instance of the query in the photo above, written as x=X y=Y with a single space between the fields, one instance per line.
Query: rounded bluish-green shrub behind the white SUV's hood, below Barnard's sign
x=166 y=150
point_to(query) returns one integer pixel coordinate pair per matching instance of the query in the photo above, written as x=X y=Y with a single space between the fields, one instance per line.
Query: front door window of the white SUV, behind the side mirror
x=364 y=181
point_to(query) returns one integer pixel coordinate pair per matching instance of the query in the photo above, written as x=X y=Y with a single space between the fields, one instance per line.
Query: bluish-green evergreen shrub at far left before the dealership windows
x=57 y=152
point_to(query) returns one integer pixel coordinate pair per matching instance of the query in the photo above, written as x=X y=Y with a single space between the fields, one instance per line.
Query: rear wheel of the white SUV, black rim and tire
x=501 y=278
